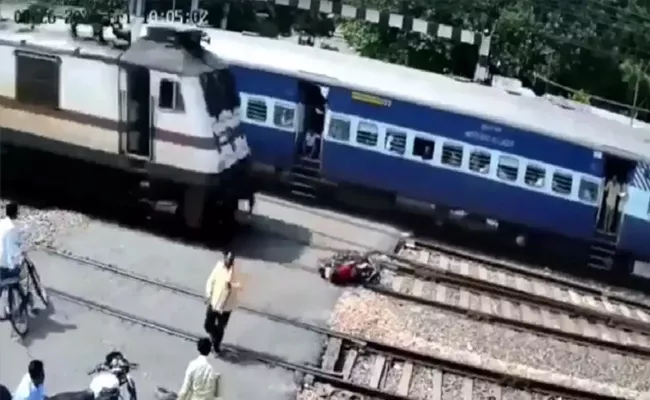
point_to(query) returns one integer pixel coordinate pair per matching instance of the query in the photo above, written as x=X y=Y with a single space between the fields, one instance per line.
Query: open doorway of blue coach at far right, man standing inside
x=618 y=172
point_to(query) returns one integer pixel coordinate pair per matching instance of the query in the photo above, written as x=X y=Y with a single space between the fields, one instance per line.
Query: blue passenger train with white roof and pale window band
x=404 y=138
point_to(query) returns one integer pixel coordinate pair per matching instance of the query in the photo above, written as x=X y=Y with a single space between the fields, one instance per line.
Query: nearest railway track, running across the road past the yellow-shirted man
x=343 y=353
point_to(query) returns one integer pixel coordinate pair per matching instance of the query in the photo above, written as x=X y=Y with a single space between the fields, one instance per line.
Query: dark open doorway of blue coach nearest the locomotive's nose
x=313 y=100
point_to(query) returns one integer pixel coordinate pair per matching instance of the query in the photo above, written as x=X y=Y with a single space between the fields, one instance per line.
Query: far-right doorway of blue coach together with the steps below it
x=610 y=217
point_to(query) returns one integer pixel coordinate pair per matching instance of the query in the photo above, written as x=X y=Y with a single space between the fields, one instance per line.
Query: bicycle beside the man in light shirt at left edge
x=19 y=296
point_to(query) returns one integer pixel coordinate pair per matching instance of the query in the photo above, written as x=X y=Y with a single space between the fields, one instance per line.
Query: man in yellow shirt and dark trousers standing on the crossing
x=221 y=296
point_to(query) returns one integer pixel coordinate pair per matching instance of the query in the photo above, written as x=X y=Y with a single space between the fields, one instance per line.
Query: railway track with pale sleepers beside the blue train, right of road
x=460 y=285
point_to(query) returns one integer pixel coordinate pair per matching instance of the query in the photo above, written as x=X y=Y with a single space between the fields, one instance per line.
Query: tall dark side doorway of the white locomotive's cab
x=135 y=112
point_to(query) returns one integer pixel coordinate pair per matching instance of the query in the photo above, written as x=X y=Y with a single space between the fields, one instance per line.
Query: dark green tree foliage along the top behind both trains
x=601 y=46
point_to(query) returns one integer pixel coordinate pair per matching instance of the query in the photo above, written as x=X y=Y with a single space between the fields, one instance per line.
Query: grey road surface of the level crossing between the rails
x=71 y=339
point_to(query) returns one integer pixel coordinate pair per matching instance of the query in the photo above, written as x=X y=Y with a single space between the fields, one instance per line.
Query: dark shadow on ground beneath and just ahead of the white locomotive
x=251 y=235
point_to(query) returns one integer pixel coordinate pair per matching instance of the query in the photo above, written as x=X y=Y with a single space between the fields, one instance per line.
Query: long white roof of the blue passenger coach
x=530 y=113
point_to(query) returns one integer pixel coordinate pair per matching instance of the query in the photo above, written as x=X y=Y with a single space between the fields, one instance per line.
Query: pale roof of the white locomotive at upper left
x=56 y=38
